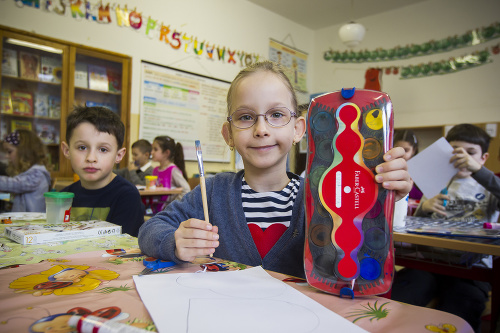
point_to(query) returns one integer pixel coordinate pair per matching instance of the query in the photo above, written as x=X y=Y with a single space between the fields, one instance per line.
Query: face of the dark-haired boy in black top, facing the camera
x=93 y=155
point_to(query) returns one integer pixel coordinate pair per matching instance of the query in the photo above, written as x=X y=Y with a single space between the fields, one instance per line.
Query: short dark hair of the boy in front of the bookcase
x=104 y=120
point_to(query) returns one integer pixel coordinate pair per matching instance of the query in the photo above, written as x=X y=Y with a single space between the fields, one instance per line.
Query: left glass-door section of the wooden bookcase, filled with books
x=31 y=77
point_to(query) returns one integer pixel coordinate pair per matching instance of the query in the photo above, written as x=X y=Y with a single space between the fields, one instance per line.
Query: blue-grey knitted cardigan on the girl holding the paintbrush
x=156 y=236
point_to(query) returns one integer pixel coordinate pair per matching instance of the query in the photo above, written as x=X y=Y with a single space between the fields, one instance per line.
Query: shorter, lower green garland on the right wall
x=446 y=66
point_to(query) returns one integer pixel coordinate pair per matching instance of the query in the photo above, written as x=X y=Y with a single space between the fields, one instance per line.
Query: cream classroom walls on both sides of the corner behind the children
x=467 y=96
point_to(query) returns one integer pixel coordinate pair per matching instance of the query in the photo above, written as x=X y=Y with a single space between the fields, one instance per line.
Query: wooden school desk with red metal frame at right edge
x=475 y=245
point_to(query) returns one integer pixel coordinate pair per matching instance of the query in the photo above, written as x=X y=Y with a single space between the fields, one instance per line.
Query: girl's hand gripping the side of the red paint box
x=393 y=173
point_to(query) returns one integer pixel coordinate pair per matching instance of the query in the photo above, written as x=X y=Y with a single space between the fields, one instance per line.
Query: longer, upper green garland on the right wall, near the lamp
x=474 y=37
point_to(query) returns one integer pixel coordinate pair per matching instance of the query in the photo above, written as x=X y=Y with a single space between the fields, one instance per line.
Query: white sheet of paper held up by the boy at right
x=431 y=169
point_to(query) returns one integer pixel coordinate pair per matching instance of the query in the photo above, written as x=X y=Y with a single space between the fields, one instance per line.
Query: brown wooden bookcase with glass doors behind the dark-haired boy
x=42 y=79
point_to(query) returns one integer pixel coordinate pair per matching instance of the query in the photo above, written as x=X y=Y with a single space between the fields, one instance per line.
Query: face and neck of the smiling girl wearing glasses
x=263 y=147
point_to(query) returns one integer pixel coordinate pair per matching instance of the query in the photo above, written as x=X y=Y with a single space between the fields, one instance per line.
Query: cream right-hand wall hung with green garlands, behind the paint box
x=471 y=95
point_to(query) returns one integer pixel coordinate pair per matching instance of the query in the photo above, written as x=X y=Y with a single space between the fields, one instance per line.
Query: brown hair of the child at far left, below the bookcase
x=30 y=151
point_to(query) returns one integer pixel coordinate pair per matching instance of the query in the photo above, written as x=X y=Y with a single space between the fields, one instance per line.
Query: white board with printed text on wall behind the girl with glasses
x=186 y=107
